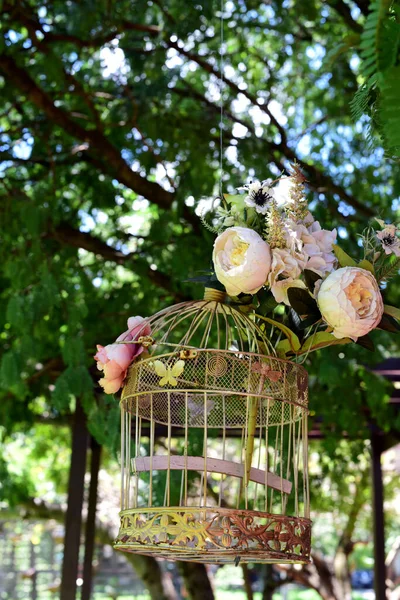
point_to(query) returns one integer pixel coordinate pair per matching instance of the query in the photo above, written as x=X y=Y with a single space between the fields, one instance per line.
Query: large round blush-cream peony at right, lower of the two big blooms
x=350 y=302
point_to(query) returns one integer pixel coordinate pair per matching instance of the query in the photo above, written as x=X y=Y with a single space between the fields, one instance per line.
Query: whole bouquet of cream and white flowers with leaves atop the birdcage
x=269 y=246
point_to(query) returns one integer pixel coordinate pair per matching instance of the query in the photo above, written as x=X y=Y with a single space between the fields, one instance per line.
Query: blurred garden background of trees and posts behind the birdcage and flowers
x=109 y=154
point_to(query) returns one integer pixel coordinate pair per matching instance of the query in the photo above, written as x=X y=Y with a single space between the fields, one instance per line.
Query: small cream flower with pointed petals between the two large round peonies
x=284 y=274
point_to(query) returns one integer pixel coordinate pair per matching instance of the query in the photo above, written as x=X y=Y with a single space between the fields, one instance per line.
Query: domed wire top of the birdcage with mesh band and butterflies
x=204 y=359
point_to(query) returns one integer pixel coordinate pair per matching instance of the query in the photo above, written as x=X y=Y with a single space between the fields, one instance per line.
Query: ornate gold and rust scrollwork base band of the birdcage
x=215 y=535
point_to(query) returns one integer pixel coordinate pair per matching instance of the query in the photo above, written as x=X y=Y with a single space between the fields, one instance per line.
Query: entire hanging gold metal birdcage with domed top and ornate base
x=213 y=442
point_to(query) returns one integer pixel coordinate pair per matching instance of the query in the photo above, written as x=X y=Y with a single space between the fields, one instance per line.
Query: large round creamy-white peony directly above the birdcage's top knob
x=242 y=260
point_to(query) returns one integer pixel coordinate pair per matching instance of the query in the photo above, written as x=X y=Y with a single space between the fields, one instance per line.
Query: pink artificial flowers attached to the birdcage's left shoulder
x=115 y=359
